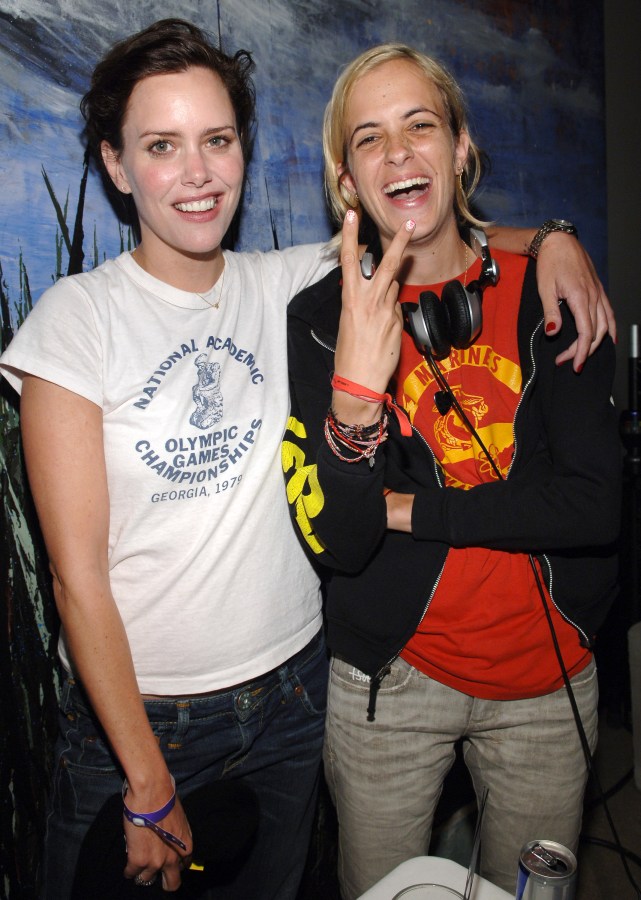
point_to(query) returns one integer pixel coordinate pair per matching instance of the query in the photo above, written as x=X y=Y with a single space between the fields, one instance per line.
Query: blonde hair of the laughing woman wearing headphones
x=334 y=133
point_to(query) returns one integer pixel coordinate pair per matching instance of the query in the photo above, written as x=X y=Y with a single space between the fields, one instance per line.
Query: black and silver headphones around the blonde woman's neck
x=456 y=319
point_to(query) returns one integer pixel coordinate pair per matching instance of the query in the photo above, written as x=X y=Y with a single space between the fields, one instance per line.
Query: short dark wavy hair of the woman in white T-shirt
x=169 y=45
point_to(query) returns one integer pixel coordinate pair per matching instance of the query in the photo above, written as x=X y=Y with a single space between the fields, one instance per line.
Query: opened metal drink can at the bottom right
x=547 y=871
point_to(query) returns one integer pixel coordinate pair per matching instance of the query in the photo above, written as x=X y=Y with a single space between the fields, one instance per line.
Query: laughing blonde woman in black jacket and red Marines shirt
x=463 y=490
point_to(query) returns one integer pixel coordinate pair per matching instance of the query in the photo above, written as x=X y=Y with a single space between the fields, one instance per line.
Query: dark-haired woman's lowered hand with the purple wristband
x=149 y=855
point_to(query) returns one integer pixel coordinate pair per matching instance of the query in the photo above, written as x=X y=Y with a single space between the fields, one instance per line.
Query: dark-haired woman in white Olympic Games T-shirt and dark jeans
x=154 y=398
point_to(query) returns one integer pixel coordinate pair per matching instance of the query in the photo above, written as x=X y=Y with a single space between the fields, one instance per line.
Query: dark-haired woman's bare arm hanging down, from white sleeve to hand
x=63 y=443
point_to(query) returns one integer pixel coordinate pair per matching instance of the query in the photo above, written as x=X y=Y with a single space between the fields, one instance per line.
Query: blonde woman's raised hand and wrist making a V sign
x=371 y=323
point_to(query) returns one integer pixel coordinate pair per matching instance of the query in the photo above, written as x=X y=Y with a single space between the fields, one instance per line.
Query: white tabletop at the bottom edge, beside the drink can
x=425 y=869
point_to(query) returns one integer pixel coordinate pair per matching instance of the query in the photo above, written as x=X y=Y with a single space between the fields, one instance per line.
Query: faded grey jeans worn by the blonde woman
x=386 y=776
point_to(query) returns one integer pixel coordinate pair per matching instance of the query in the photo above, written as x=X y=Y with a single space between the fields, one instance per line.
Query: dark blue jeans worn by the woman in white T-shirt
x=268 y=732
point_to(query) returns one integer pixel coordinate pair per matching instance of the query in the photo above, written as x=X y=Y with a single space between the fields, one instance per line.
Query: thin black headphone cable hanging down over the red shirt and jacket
x=444 y=386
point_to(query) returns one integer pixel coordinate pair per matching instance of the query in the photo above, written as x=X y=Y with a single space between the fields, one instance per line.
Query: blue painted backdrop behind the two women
x=532 y=71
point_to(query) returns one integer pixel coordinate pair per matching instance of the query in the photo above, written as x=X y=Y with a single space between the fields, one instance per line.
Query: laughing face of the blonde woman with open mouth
x=402 y=159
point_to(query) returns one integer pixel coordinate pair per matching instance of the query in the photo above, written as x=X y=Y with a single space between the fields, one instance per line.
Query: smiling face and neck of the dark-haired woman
x=183 y=164
